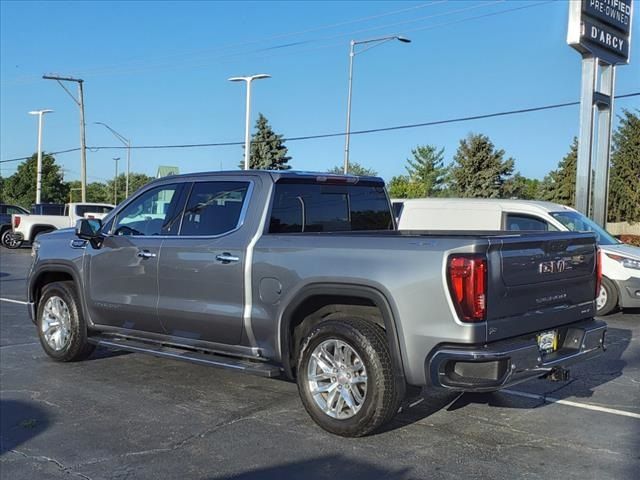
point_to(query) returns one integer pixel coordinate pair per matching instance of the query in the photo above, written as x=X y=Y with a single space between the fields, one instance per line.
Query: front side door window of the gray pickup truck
x=155 y=212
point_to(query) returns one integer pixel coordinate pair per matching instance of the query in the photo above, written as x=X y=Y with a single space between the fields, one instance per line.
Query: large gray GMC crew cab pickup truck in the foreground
x=305 y=276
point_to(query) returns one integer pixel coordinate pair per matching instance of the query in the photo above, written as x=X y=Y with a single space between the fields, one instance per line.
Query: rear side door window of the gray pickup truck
x=214 y=208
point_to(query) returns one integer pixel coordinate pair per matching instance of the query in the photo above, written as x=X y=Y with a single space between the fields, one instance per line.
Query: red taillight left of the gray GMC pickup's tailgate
x=468 y=286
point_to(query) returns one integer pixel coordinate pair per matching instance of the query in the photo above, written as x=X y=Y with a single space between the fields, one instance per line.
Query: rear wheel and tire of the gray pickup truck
x=337 y=352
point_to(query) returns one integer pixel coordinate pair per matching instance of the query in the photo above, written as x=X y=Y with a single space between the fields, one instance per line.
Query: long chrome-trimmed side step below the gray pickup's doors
x=202 y=358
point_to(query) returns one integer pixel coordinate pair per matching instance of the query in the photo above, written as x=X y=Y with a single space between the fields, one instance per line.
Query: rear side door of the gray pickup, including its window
x=201 y=270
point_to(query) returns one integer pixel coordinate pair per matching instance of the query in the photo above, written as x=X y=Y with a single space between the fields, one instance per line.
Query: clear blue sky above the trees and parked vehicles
x=157 y=73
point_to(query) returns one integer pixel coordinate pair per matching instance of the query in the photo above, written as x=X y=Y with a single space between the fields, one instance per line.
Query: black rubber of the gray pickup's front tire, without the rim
x=78 y=347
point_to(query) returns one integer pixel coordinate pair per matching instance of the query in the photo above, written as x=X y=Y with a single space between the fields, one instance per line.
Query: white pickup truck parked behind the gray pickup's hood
x=27 y=227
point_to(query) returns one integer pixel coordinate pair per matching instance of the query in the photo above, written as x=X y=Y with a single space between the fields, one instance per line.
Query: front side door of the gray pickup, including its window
x=122 y=285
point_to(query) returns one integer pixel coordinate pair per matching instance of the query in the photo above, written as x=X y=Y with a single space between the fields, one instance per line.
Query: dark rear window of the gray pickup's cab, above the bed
x=329 y=208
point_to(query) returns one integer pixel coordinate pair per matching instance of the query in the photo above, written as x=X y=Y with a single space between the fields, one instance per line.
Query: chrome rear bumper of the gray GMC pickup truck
x=507 y=362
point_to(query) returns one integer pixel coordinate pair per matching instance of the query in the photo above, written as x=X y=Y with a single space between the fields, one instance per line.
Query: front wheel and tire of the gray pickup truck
x=67 y=342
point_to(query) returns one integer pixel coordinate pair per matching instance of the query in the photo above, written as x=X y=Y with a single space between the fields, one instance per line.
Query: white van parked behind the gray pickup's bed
x=620 y=262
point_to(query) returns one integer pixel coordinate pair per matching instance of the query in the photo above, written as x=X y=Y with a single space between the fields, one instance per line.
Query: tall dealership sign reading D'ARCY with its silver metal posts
x=601 y=31
